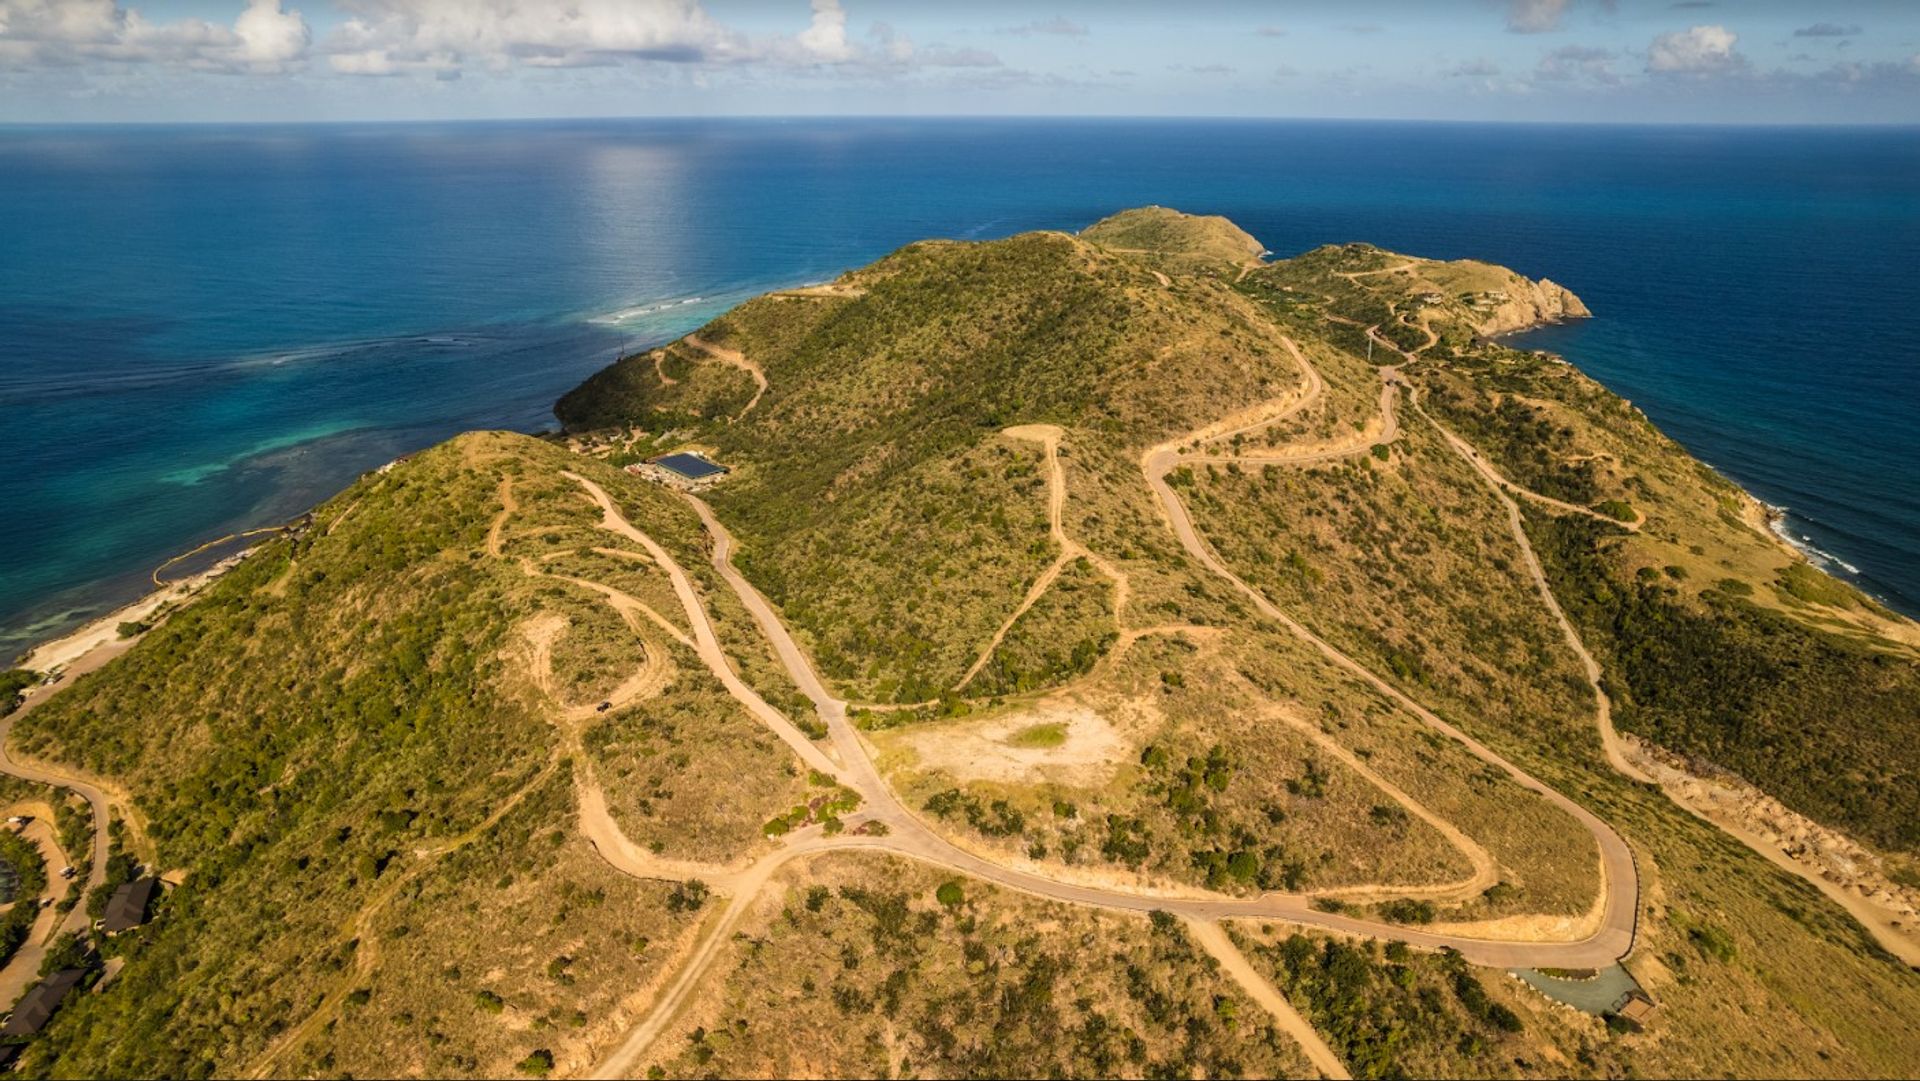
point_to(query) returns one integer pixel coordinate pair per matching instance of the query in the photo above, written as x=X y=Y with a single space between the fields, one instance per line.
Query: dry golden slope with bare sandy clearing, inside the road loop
x=1287 y=800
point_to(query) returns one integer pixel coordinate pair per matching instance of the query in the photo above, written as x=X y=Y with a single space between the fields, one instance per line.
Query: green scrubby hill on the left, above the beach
x=343 y=752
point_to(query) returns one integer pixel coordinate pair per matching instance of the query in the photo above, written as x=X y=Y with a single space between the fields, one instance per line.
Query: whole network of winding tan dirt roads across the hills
x=850 y=759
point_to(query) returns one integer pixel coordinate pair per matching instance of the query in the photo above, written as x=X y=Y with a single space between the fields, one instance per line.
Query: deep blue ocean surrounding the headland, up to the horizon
x=206 y=329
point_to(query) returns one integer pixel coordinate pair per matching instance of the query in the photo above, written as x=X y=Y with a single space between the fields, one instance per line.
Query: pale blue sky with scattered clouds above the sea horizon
x=1466 y=60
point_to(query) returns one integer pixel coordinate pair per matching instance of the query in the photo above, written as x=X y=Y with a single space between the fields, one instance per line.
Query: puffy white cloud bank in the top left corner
x=59 y=34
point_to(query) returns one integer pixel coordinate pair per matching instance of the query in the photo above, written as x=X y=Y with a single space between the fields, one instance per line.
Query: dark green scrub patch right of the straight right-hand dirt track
x=1827 y=725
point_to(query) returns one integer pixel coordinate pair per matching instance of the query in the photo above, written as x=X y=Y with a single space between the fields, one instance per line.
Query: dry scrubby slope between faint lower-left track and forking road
x=521 y=942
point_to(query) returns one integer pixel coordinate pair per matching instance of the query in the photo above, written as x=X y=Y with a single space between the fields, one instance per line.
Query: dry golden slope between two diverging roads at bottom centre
x=853 y=969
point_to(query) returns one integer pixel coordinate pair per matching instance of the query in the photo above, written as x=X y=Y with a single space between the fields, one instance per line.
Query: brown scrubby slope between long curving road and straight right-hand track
x=1412 y=567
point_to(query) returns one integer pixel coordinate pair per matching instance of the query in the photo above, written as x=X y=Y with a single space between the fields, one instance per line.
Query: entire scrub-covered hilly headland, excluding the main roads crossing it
x=377 y=761
